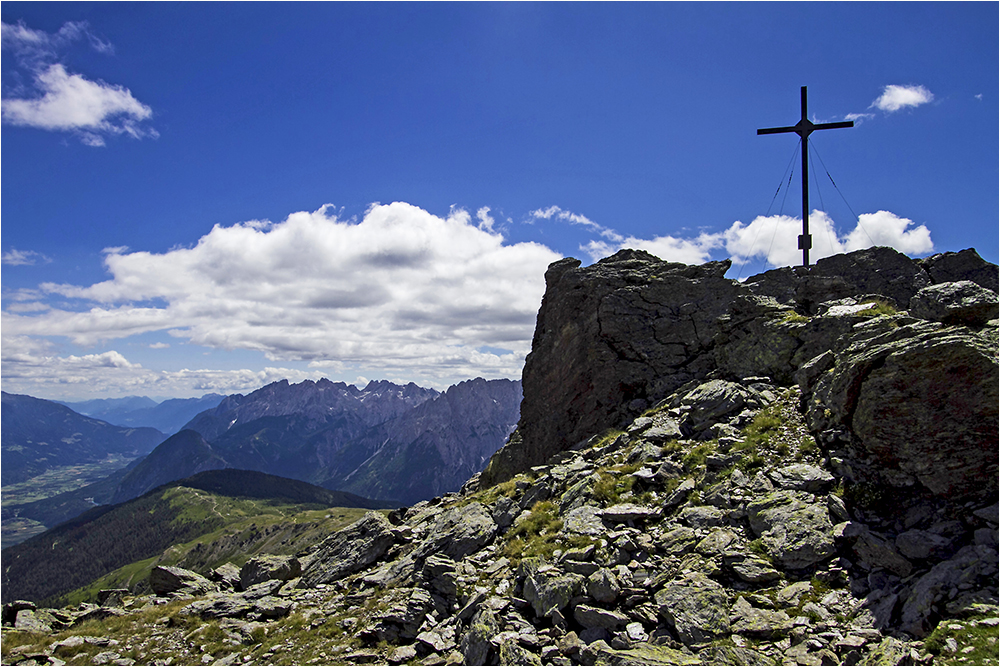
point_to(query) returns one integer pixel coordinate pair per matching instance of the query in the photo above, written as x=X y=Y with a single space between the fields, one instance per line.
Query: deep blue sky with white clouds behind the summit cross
x=211 y=196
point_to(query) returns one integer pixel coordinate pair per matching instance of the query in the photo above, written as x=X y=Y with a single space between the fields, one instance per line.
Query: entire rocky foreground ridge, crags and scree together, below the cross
x=798 y=469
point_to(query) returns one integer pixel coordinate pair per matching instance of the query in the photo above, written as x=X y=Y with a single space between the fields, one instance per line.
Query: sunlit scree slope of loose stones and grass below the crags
x=710 y=531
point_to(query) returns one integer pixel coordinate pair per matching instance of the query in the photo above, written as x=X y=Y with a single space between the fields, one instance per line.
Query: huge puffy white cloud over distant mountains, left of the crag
x=402 y=292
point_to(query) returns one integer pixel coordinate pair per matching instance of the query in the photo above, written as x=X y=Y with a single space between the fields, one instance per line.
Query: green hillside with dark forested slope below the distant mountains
x=201 y=522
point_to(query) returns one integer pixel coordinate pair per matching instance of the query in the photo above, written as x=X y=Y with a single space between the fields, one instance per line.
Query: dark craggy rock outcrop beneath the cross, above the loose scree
x=898 y=372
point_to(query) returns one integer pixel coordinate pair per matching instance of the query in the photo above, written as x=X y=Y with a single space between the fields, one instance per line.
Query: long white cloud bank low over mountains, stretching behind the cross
x=401 y=294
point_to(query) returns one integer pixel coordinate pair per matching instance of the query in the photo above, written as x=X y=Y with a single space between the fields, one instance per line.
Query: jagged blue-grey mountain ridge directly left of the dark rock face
x=387 y=441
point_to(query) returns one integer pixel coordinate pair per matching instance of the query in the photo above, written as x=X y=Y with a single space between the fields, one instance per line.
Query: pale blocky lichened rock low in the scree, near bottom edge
x=696 y=607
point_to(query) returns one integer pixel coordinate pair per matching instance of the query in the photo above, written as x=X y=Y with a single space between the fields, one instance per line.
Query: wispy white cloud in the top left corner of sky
x=58 y=100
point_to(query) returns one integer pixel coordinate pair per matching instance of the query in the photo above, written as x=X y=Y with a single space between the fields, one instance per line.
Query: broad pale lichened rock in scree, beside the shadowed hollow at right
x=796 y=532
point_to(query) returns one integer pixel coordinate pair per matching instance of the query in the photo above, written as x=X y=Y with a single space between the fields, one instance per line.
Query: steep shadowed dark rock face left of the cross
x=611 y=339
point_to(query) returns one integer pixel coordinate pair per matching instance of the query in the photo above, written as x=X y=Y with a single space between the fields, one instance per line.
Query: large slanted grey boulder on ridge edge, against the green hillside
x=349 y=550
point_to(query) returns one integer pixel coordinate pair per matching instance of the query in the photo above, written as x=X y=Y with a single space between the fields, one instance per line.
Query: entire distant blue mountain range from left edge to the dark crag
x=394 y=442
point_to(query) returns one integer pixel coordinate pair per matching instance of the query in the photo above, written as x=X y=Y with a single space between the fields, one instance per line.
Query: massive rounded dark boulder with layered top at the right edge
x=918 y=401
